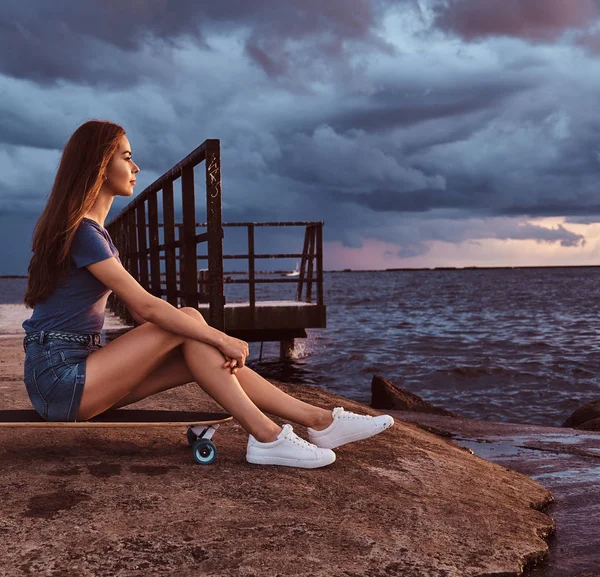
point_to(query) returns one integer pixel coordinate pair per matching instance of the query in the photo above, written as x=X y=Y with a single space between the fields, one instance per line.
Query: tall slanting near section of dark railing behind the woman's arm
x=135 y=232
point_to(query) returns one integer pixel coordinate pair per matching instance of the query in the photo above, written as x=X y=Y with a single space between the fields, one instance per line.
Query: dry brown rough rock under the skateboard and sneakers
x=108 y=502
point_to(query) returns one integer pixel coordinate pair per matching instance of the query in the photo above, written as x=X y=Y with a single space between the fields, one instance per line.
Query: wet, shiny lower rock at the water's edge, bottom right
x=565 y=461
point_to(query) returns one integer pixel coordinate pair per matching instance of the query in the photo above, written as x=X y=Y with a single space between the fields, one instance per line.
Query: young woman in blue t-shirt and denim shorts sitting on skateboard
x=74 y=268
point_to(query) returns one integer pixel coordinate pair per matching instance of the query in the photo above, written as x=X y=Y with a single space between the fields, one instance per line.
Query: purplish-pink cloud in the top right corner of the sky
x=541 y=20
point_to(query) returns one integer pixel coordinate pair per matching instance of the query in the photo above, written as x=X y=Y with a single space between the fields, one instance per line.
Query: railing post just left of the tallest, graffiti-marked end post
x=190 y=264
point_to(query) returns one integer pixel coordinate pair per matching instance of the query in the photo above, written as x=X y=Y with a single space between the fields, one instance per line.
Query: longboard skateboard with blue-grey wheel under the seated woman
x=200 y=426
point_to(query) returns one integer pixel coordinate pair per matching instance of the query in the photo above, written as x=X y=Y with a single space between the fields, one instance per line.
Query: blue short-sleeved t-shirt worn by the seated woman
x=78 y=304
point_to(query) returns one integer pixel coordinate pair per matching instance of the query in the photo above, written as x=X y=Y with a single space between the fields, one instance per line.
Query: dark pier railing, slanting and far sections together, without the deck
x=136 y=233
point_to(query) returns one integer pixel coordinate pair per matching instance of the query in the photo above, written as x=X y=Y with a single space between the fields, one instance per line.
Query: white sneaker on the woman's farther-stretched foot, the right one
x=348 y=427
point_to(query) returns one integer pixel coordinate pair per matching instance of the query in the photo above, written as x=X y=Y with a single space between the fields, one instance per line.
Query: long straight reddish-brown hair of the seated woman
x=78 y=181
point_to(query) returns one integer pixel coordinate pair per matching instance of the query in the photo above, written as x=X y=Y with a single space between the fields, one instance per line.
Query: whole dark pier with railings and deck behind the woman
x=163 y=257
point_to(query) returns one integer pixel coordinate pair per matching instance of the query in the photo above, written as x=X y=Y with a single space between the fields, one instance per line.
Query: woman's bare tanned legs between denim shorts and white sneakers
x=148 y=360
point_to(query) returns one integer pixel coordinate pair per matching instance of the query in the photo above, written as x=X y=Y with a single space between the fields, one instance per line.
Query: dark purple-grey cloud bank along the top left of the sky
x=95 y=42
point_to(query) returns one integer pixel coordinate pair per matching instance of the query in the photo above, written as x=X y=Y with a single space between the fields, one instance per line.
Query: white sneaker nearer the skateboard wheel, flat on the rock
x=288 y=450
